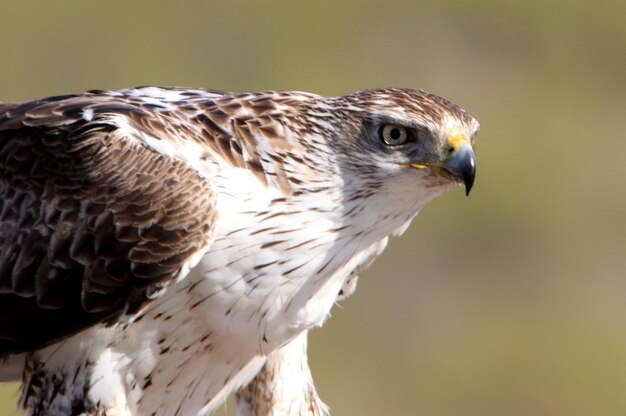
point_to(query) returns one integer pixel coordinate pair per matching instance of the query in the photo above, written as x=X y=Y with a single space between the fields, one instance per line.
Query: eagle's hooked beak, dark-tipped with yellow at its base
x=462 y=161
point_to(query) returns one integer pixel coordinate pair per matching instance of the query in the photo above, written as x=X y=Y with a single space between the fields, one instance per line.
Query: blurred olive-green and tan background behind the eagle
x=510 y=302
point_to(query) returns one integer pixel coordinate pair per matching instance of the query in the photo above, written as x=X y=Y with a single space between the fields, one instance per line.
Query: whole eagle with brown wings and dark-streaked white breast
x=164 y=248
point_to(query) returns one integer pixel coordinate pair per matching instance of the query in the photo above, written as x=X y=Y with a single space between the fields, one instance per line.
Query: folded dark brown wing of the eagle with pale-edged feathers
x=98 y=213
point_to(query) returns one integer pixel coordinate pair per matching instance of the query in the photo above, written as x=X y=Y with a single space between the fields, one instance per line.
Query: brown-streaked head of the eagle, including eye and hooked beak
x=407 y=136
